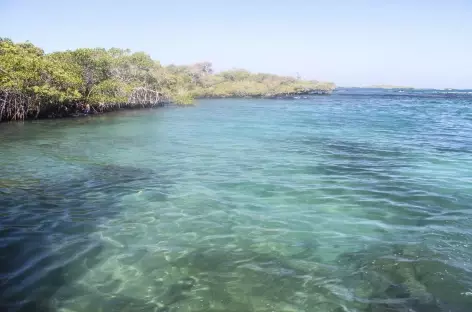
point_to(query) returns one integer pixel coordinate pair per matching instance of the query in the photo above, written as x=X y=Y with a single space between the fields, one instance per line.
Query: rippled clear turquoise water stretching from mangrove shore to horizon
x=358 y=201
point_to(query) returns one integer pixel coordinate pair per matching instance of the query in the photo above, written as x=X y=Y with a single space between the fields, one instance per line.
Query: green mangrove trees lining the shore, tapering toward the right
x=35 y=84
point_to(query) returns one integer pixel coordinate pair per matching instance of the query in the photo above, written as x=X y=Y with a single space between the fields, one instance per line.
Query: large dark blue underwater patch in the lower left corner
x=39 y=217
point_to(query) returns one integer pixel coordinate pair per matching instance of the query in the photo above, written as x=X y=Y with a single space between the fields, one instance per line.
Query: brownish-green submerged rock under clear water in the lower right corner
x=407 y=279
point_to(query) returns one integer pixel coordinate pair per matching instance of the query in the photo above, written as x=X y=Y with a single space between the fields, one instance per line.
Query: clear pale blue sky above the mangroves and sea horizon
x=419 y=43
